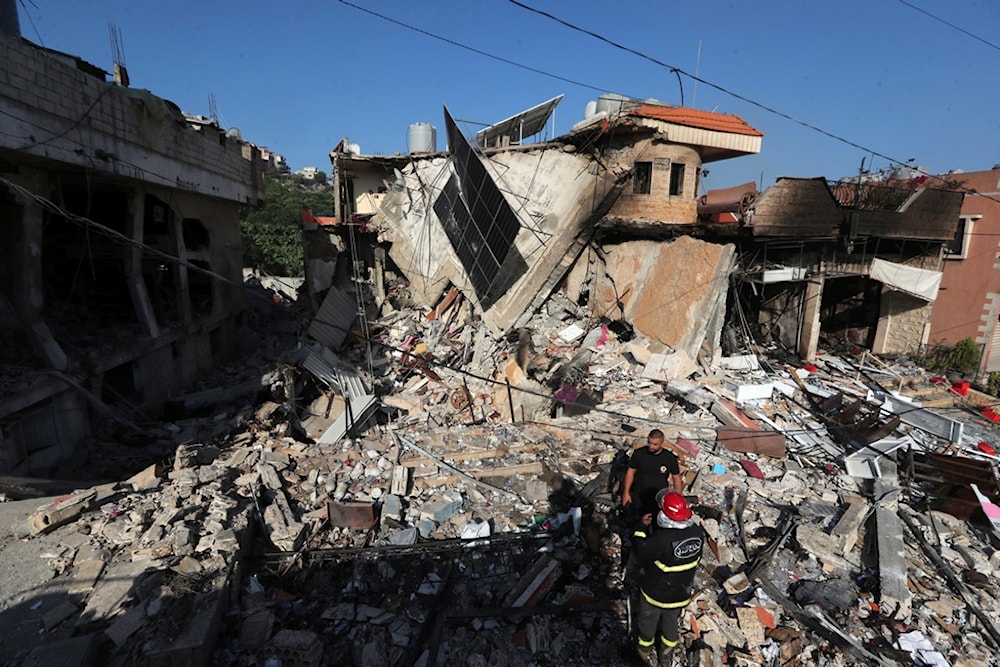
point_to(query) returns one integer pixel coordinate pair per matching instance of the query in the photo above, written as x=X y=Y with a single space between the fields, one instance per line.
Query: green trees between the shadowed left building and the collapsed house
x=272 y=234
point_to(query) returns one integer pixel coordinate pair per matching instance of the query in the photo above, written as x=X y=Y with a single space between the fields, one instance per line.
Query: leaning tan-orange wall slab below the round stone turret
x=670 y=292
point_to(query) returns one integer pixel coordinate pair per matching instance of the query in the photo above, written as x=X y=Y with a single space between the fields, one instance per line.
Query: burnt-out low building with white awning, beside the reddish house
x=859 y=261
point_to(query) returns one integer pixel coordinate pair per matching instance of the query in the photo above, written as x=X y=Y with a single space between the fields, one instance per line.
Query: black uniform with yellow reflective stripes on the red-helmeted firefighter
x=669 y=558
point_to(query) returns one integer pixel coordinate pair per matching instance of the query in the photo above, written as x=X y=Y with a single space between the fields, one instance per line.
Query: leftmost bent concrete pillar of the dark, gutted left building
x=27 y=279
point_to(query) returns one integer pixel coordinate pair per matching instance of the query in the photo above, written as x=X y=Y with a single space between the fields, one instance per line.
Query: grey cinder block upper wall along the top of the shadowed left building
x=53 y=110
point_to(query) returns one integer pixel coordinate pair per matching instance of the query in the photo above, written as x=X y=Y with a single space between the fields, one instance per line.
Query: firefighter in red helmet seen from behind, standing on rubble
x=669 y=551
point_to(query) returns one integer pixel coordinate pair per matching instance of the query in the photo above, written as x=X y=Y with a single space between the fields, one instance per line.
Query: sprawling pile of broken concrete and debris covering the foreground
x=472 y=517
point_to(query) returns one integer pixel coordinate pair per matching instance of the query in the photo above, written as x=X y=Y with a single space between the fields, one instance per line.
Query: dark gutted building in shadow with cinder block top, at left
x=121 y=252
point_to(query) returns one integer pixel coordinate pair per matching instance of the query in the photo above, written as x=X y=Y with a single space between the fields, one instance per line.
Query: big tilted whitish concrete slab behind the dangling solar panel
x=555 y=194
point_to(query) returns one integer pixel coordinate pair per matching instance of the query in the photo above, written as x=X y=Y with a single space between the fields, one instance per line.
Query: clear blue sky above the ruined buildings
x=298 y=77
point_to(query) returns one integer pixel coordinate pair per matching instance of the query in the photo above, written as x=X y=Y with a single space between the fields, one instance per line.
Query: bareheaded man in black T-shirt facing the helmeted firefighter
x=650 y=469
